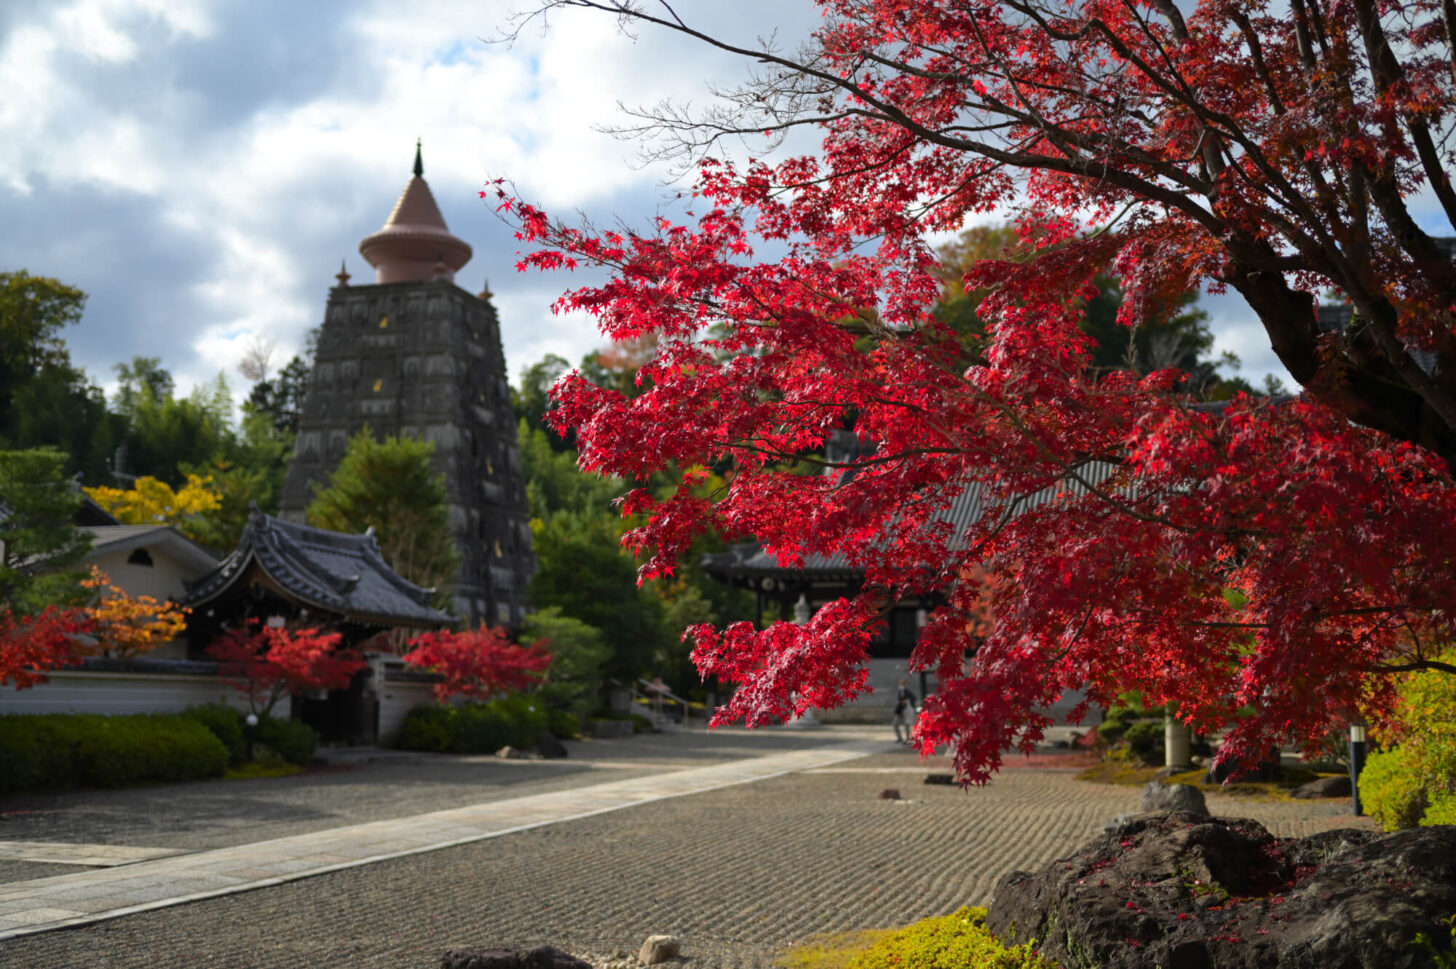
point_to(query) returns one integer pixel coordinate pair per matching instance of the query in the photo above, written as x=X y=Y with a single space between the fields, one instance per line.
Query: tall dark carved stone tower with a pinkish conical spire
x=417 y=356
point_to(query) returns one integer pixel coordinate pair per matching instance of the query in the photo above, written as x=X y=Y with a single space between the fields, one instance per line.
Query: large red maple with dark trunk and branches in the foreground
x=1278 y=557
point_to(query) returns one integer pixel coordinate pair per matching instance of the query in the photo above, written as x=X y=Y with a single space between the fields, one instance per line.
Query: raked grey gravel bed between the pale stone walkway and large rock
x=739 y=872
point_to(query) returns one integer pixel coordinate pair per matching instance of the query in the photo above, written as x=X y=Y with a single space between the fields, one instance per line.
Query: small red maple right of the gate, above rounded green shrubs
x=478 y=663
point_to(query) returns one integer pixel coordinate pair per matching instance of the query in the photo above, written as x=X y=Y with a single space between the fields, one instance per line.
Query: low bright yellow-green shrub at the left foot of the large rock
x=960 y=941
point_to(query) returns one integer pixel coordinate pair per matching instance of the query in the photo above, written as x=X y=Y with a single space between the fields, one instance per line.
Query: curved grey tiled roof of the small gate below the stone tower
x=324 y=570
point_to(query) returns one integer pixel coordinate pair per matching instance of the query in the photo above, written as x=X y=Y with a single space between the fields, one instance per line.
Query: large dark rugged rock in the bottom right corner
x=1189 y=893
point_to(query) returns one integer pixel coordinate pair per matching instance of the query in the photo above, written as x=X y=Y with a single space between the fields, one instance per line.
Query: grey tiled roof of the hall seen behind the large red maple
x=752 y=561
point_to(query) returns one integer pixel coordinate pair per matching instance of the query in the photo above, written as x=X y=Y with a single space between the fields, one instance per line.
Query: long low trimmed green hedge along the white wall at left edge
x=88 y=750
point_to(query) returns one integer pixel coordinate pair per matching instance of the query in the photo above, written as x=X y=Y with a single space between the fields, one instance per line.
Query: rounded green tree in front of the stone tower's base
x=391 y=487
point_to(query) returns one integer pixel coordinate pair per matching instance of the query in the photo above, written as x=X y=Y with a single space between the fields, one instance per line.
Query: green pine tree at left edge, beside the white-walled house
x=40 y=542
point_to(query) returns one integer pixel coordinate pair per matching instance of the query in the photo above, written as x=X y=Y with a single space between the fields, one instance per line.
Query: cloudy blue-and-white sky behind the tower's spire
x=200 y=168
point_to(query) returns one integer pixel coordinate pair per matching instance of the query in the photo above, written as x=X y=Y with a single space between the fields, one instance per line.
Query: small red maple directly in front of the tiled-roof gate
x=266 y=663
